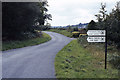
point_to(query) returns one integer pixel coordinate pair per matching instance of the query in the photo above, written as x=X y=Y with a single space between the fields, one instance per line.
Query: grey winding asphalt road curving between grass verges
x=33 y=61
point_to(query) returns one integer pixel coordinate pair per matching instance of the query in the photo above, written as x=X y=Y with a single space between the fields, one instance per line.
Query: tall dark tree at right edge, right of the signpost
x=113 y=25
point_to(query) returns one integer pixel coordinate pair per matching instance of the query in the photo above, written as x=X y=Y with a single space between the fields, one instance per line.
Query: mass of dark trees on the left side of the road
x=21 y=19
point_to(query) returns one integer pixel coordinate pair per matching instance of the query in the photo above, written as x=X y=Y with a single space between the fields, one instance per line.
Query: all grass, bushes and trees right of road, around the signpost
x=80 y=59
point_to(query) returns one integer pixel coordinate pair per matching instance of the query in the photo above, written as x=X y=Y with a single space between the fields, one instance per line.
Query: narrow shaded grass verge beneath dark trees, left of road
x=30 y=42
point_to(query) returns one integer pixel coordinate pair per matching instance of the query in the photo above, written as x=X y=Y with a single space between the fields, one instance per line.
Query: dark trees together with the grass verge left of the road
x=23 y=23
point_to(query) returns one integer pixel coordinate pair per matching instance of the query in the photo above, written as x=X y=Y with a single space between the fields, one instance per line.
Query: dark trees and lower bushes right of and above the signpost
x=111 y=23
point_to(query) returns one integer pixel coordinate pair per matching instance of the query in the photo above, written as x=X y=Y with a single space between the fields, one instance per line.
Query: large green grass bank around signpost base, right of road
x=76 y=61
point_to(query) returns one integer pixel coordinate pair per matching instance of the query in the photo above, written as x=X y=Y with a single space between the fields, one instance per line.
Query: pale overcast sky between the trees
x=68 y=12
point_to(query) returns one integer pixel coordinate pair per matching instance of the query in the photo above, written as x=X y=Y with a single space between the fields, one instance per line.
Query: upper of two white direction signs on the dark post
x=96 y=33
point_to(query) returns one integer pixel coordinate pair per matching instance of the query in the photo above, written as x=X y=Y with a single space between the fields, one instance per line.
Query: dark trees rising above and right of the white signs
x=109 y=22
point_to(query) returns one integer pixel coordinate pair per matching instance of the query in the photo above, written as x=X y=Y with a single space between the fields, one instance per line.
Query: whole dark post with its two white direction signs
x=98 y=36
